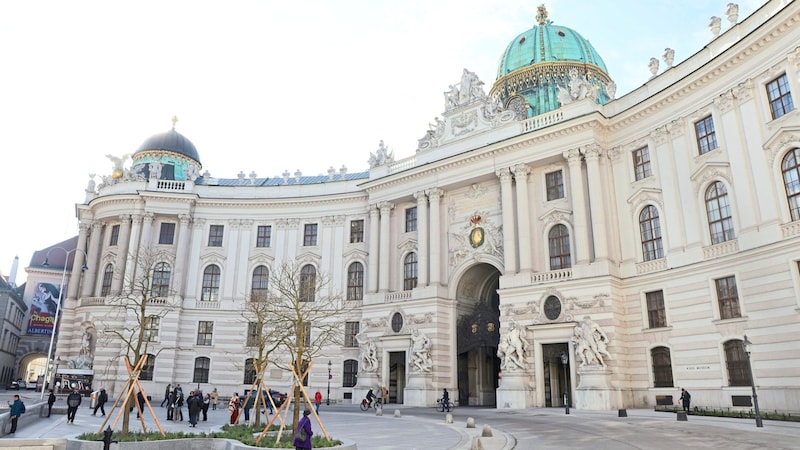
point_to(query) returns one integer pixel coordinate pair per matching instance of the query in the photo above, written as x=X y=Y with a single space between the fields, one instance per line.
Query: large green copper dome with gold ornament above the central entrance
x=548 y=56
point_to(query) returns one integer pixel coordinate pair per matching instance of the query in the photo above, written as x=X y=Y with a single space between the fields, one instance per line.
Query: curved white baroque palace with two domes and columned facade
x=641 y=237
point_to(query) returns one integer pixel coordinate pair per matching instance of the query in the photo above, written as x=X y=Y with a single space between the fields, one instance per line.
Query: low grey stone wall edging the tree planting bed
x=179 y=444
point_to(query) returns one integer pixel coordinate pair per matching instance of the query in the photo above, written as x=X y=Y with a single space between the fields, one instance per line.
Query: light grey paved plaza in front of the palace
x=425 y=428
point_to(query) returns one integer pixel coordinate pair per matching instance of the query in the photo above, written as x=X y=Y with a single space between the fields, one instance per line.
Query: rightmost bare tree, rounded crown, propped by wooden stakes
x=307 y=316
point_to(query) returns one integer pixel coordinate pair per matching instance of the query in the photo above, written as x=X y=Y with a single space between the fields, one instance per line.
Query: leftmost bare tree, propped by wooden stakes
x=136 y=313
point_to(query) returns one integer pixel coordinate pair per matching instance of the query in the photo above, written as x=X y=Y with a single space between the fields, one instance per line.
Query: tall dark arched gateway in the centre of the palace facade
x=478 y=334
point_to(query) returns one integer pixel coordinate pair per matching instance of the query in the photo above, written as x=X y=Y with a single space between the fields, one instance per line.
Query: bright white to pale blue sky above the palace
x=266 y=86
